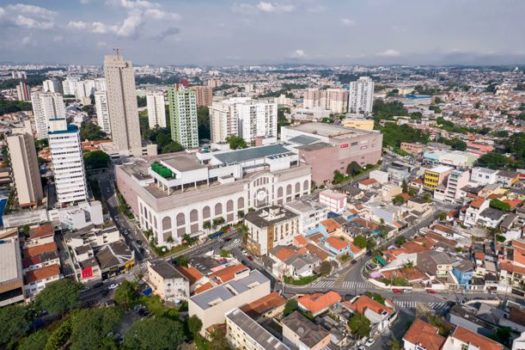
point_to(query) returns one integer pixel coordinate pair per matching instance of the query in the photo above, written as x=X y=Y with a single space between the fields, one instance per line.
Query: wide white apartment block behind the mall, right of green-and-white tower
x=244 y=117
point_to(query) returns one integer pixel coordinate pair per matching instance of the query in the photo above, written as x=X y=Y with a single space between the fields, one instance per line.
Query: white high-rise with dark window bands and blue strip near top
x=67 y=161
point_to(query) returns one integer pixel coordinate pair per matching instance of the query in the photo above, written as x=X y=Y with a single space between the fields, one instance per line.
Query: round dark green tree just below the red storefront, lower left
x=59 y=297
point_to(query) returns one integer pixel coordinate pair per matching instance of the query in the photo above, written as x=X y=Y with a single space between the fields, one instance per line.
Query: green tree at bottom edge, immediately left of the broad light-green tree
x=91 y=328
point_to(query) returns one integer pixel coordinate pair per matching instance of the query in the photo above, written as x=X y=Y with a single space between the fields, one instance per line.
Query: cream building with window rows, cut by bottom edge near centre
x=242 y=332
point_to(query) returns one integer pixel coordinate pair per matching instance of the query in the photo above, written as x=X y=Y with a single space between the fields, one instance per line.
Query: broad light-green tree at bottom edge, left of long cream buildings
x=154 y=333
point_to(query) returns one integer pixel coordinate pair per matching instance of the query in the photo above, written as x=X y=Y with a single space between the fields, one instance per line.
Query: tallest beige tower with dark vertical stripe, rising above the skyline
x=122 y=104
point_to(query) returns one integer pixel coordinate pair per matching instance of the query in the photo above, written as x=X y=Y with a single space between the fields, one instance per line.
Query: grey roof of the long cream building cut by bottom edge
x=255 y=330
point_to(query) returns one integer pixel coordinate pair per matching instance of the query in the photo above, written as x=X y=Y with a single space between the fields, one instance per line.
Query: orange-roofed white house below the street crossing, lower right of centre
x=379 y=315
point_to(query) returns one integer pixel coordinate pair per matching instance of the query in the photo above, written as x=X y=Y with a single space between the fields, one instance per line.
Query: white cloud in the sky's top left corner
x=28 y=16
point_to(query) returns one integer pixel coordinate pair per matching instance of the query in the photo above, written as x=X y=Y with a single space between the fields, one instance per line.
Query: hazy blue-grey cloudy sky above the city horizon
x=230 y=32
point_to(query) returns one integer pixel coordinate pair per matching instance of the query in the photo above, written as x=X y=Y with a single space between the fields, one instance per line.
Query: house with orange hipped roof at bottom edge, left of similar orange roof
x=422 y=336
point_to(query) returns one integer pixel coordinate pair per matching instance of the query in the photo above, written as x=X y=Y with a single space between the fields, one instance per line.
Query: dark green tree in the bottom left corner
x=14 y=323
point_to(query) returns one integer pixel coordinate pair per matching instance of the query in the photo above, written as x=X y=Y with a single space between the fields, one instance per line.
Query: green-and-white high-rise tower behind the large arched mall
x=183 y=116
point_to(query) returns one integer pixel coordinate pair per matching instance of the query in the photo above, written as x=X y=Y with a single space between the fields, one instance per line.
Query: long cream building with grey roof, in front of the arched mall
x=212 y=305
